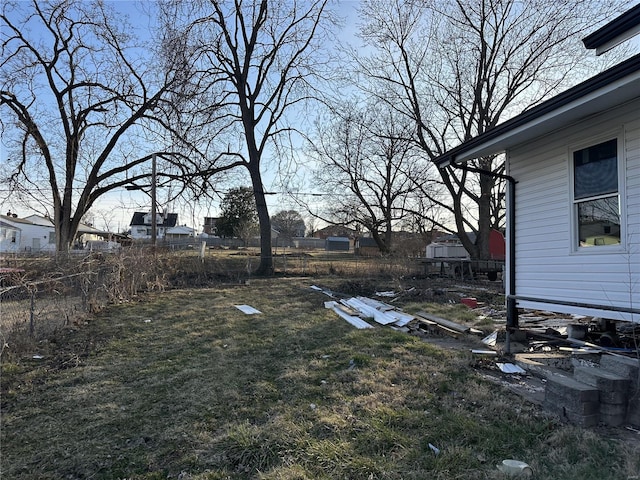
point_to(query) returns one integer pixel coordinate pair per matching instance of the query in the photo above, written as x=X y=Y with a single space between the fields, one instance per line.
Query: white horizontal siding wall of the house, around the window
x=547 y=265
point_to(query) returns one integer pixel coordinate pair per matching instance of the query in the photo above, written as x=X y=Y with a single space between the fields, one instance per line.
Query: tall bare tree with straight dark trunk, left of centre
x=260 y=59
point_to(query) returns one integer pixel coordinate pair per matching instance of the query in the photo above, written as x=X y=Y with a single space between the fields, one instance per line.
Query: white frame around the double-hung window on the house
x=575 y=246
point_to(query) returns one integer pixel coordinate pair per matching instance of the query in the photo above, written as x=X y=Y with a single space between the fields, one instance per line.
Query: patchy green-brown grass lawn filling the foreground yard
x=184 y=385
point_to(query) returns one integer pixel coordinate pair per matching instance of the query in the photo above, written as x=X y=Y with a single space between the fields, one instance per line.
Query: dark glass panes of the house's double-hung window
x=595 y=194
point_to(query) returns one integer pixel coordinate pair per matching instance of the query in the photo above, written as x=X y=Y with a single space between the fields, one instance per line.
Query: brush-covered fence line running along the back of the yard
x=41 y=295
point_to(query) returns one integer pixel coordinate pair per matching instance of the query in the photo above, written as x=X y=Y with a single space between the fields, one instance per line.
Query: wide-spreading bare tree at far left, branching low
x=83 y=108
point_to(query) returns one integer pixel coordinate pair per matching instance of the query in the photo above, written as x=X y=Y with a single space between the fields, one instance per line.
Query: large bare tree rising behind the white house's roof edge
x=456 y=69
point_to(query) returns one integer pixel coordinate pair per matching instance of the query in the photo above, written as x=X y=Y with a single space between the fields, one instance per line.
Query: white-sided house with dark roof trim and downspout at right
x=573 y=208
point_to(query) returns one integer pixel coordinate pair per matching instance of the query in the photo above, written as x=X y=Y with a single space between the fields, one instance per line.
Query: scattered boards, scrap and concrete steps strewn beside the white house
x=584 y=369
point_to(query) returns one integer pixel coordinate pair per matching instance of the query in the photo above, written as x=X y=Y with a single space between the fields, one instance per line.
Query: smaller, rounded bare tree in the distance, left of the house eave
x=369 y=169
